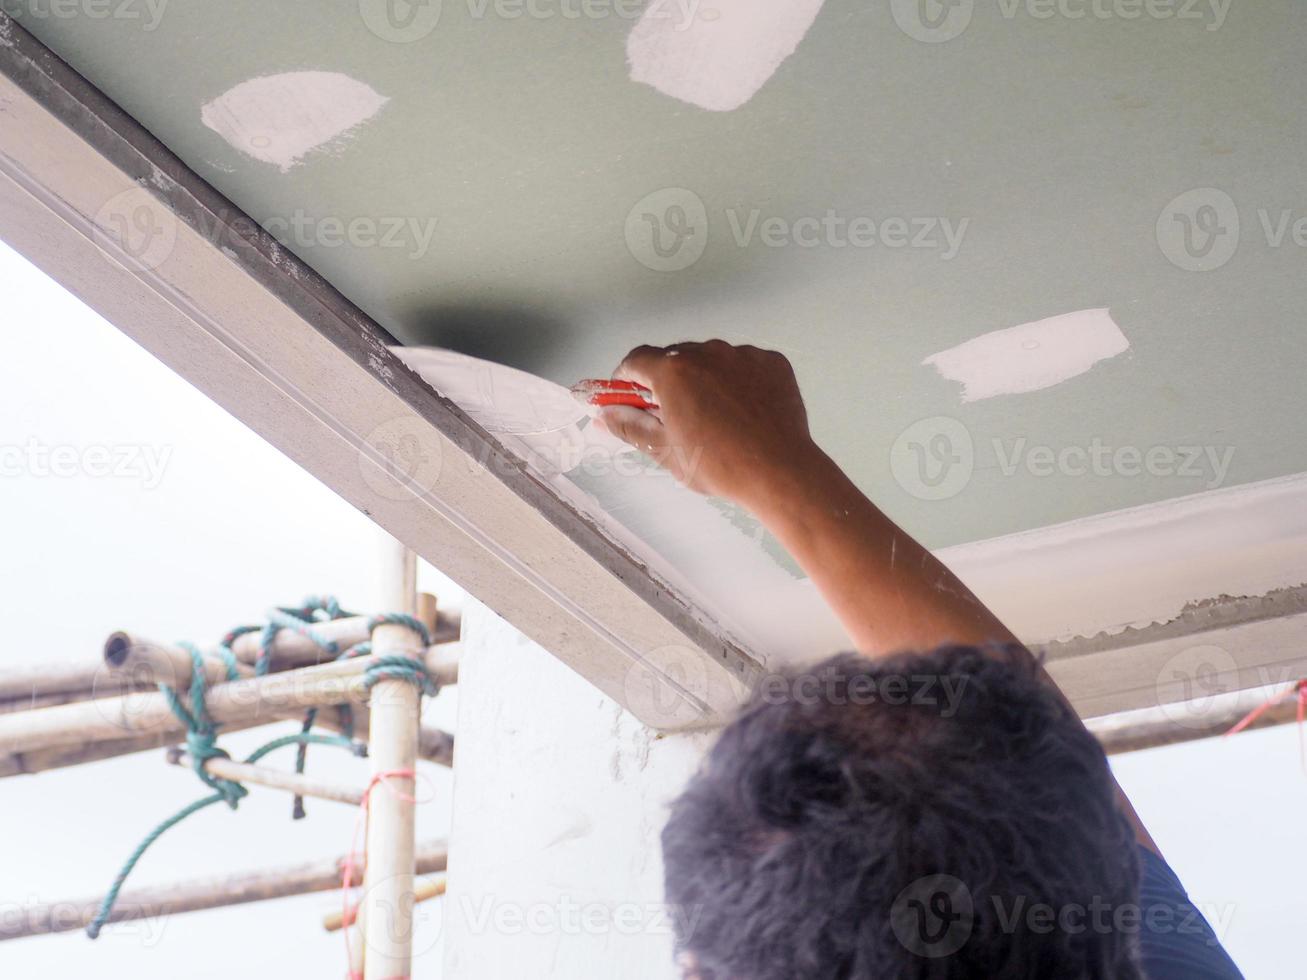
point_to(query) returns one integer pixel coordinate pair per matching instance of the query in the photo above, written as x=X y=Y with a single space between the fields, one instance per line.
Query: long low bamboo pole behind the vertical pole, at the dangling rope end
x=199 y=894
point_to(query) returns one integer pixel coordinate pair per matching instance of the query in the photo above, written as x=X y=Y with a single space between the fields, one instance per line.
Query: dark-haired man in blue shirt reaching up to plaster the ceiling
x=930 y=807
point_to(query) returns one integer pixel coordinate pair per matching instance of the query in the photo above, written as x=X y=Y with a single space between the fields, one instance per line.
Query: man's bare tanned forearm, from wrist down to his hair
x=888 y=591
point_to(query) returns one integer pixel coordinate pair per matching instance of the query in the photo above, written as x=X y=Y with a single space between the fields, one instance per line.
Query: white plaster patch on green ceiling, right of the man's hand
x=1031 y=357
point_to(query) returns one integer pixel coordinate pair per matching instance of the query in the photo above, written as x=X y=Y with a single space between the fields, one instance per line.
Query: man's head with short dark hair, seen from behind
x=926 y=816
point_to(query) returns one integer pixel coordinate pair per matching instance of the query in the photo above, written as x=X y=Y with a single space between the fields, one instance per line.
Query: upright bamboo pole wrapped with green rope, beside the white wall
x=391 y=826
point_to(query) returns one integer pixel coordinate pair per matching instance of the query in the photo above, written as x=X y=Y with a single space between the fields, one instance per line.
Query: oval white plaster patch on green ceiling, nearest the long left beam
x=282 y=118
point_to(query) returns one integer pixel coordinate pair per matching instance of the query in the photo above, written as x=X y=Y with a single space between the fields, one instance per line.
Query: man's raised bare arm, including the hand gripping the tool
x=731 y=423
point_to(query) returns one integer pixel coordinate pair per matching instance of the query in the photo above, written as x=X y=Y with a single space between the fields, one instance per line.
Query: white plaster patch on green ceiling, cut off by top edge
x=717 y=54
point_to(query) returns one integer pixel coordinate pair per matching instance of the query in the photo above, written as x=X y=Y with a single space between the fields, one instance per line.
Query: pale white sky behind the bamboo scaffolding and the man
x=219 y=529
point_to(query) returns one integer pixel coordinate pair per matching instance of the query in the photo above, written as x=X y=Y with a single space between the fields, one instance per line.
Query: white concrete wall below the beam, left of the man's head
x=560 y=799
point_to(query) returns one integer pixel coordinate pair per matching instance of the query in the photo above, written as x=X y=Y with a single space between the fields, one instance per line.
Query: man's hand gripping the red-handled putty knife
x=731 y=421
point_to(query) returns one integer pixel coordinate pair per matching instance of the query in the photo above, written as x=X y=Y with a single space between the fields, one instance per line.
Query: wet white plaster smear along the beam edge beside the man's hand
x=709 y=551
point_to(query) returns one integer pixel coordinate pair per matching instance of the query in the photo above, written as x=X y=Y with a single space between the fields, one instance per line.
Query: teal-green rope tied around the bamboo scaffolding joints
x=202 y=732
